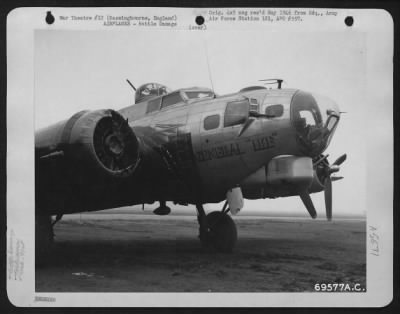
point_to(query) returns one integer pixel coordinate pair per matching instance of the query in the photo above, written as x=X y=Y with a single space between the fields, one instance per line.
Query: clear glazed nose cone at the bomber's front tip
x=315 y=119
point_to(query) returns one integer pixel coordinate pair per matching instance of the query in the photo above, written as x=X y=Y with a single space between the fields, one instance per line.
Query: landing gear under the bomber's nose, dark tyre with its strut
x=217 y=230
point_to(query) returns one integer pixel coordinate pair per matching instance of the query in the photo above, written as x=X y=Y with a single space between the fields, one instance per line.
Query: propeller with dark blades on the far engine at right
x=327 y=170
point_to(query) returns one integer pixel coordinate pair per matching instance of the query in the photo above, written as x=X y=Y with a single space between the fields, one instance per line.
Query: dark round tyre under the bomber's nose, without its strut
x=221 y=232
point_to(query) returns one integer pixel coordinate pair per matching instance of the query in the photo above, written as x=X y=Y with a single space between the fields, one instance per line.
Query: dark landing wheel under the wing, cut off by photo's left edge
x=44 y=238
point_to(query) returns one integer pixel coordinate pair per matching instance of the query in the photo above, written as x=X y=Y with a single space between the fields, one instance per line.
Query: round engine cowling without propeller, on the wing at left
x=99 y=141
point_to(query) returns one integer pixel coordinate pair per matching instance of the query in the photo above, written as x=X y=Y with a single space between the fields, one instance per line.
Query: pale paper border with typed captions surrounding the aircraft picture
x=21 y=25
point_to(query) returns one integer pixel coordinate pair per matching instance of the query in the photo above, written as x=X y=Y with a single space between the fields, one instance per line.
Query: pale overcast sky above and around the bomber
x=76 y=70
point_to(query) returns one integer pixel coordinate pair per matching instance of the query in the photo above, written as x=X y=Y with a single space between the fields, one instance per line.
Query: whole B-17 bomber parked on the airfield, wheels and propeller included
x=188 y=146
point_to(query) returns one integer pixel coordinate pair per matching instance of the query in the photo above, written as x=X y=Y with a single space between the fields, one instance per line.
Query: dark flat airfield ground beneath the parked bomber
x=100 y=252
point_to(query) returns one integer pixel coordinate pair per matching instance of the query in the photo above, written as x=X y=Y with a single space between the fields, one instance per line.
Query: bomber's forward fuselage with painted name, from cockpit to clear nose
x=207 y=144
